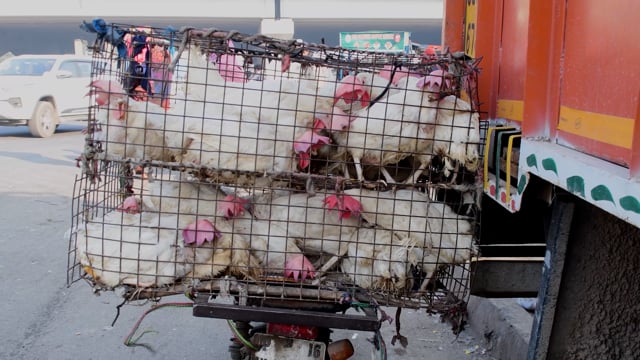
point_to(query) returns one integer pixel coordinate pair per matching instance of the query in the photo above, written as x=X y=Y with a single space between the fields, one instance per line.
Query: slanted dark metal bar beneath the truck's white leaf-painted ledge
x=557 y=239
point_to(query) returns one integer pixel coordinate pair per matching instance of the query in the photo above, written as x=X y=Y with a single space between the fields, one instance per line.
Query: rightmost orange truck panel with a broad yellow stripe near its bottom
x=600 y=78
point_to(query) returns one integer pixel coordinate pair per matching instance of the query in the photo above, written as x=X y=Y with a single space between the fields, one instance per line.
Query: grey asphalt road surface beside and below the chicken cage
x=42 y=318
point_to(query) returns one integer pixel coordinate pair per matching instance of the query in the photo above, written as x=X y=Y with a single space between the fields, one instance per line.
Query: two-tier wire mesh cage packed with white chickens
x=217 y=161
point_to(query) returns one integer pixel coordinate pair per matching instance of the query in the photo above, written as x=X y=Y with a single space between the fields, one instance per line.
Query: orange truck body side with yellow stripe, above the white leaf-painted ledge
x=563 y=69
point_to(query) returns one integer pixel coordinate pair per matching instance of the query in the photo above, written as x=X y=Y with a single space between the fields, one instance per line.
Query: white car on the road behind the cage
x=43 y=91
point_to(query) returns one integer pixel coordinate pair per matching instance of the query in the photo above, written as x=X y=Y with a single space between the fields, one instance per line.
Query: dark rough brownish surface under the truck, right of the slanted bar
x=597 y=312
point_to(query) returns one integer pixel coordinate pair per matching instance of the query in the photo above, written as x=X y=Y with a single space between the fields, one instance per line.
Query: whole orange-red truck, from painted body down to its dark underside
x=559 y=87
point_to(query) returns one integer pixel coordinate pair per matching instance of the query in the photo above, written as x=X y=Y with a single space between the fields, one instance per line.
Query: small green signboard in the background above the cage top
x=382 y=41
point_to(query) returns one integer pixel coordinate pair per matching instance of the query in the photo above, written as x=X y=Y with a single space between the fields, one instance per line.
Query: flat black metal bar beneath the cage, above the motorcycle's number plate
x=286 y=316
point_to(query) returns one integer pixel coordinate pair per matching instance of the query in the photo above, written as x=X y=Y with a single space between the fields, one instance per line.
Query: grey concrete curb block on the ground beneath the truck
x=504 y=325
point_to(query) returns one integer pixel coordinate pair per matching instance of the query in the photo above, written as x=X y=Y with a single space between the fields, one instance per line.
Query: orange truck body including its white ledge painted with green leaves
x=564 y=74
